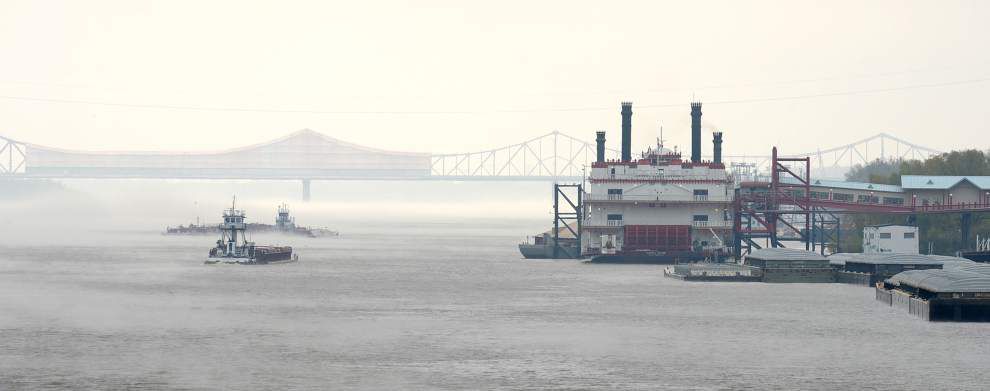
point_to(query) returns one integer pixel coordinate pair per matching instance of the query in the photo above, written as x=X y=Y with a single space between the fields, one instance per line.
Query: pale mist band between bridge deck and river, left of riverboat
x=81 y=211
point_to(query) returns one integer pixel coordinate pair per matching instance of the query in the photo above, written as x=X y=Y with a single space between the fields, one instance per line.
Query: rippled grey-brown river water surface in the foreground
x=443 y=306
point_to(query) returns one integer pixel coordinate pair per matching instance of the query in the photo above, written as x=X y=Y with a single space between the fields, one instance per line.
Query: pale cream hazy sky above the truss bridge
x=458 y=76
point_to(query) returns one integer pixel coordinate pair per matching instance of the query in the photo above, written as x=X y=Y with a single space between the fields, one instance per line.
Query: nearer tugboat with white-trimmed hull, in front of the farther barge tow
x=233 y=247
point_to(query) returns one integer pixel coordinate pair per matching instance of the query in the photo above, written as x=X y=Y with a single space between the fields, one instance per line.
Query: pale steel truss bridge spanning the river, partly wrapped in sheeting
x=307 y=155
